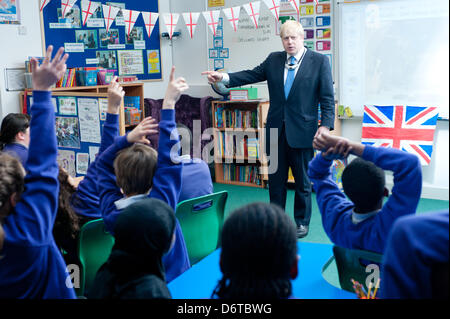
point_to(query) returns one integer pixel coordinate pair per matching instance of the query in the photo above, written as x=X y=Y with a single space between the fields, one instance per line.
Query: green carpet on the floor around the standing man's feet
x=242 y=195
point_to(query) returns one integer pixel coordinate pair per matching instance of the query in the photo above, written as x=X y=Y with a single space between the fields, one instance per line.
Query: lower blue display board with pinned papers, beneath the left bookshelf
x=79 y=120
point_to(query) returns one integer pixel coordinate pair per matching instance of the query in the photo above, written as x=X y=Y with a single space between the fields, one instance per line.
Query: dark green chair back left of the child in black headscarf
x=94 y=248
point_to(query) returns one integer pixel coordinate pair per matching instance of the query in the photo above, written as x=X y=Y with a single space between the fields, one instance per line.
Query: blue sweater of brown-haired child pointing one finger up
x=166 y=186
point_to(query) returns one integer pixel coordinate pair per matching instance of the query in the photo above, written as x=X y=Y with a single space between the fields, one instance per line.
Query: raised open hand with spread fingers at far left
x=49 y=72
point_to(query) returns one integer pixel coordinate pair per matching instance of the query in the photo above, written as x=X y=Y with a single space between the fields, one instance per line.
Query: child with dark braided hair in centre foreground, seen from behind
x=259 y=254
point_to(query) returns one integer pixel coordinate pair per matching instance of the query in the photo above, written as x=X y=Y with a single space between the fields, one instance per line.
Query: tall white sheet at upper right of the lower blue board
x=89 y=120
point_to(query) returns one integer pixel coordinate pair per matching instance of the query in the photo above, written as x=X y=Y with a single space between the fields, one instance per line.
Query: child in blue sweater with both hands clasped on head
x=362 y=221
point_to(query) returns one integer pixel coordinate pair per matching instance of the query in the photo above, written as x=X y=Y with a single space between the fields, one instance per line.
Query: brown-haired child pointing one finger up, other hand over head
x=142 y=172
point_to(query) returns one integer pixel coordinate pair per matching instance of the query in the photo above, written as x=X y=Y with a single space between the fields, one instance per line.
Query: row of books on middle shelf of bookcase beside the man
x=235 y=145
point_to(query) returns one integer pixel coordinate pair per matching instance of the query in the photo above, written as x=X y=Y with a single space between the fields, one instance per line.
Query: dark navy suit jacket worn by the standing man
x=313 y=84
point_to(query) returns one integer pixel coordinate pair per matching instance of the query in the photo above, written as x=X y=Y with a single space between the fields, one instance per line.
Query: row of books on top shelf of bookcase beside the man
x=227 y=118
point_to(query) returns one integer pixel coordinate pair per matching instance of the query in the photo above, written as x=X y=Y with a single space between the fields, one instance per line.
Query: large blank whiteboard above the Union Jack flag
x=394 y=52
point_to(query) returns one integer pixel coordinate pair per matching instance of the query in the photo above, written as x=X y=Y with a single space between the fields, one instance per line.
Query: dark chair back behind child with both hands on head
x=352 y=263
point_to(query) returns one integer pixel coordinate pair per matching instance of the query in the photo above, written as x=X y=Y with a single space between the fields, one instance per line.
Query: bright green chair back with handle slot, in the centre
x=201 y=220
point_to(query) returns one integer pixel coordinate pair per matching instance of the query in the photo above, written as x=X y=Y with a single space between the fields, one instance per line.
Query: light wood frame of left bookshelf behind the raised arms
x=131 y=89
